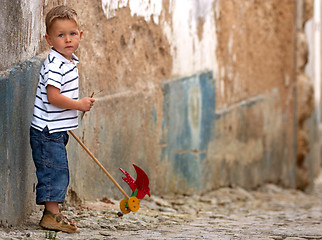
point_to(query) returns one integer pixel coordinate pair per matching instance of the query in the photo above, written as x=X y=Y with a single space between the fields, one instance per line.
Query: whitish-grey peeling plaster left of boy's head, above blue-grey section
x=22 y=26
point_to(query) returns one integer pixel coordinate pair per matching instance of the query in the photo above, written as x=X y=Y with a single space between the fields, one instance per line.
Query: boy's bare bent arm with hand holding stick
x=61 y=101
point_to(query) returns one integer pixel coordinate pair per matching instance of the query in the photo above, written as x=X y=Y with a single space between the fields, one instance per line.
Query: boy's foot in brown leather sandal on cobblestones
x=57 y=222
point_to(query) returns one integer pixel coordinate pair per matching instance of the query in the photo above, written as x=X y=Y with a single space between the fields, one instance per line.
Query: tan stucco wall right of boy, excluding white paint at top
x=135 y=117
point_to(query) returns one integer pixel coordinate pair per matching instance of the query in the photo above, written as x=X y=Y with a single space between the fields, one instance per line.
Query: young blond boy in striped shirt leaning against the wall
x=55 y=112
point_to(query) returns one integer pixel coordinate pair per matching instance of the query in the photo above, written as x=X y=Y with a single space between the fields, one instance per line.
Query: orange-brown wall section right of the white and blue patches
x=256 y=83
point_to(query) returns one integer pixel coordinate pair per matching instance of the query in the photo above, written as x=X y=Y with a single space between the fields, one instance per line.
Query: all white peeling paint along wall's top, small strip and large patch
x=191 y=51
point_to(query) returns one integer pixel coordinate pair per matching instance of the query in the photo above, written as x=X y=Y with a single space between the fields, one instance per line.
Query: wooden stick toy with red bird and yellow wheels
x=139 y=187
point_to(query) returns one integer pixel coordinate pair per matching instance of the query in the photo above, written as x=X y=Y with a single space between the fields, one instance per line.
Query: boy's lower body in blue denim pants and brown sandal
x=50 y=157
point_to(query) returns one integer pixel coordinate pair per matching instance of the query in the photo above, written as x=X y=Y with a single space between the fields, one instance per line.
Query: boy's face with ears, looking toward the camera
x=64 y=36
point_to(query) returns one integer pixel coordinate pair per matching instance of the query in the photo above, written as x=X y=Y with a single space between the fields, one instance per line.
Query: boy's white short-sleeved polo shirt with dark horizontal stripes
x=62 y=74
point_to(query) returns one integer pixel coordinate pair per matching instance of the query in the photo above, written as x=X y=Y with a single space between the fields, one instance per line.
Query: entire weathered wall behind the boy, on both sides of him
x=200 y=94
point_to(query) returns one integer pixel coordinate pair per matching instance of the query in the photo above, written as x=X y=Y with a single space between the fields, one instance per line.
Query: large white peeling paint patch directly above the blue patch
x=190 y=52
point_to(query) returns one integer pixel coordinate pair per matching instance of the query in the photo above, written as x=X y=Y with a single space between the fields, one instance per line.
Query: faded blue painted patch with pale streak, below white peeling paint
x=188 y=126
